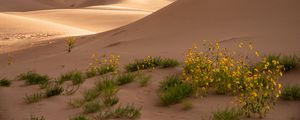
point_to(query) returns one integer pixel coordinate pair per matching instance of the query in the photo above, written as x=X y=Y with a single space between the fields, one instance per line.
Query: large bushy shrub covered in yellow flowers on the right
x=214 y=67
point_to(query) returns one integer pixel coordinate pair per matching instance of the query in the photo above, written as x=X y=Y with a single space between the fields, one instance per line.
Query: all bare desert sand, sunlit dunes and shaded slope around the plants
x=34 y=32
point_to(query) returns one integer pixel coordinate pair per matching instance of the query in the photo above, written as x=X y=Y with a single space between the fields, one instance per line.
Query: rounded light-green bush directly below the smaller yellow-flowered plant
x=108 y=87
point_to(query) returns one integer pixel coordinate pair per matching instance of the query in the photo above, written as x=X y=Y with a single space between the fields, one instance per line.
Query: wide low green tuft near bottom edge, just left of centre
x=127 y=112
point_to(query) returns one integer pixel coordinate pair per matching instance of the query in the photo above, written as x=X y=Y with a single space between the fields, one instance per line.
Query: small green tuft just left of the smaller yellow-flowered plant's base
x=75 y=76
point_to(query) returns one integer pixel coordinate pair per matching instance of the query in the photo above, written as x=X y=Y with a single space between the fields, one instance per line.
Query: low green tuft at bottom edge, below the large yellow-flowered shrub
x=228 y=114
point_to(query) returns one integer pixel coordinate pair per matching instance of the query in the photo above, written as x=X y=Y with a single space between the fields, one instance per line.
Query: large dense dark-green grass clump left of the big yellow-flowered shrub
x=174 y=90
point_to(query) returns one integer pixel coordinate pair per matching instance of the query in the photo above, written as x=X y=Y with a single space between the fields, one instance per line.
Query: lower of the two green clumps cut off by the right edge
x=291 y=93
